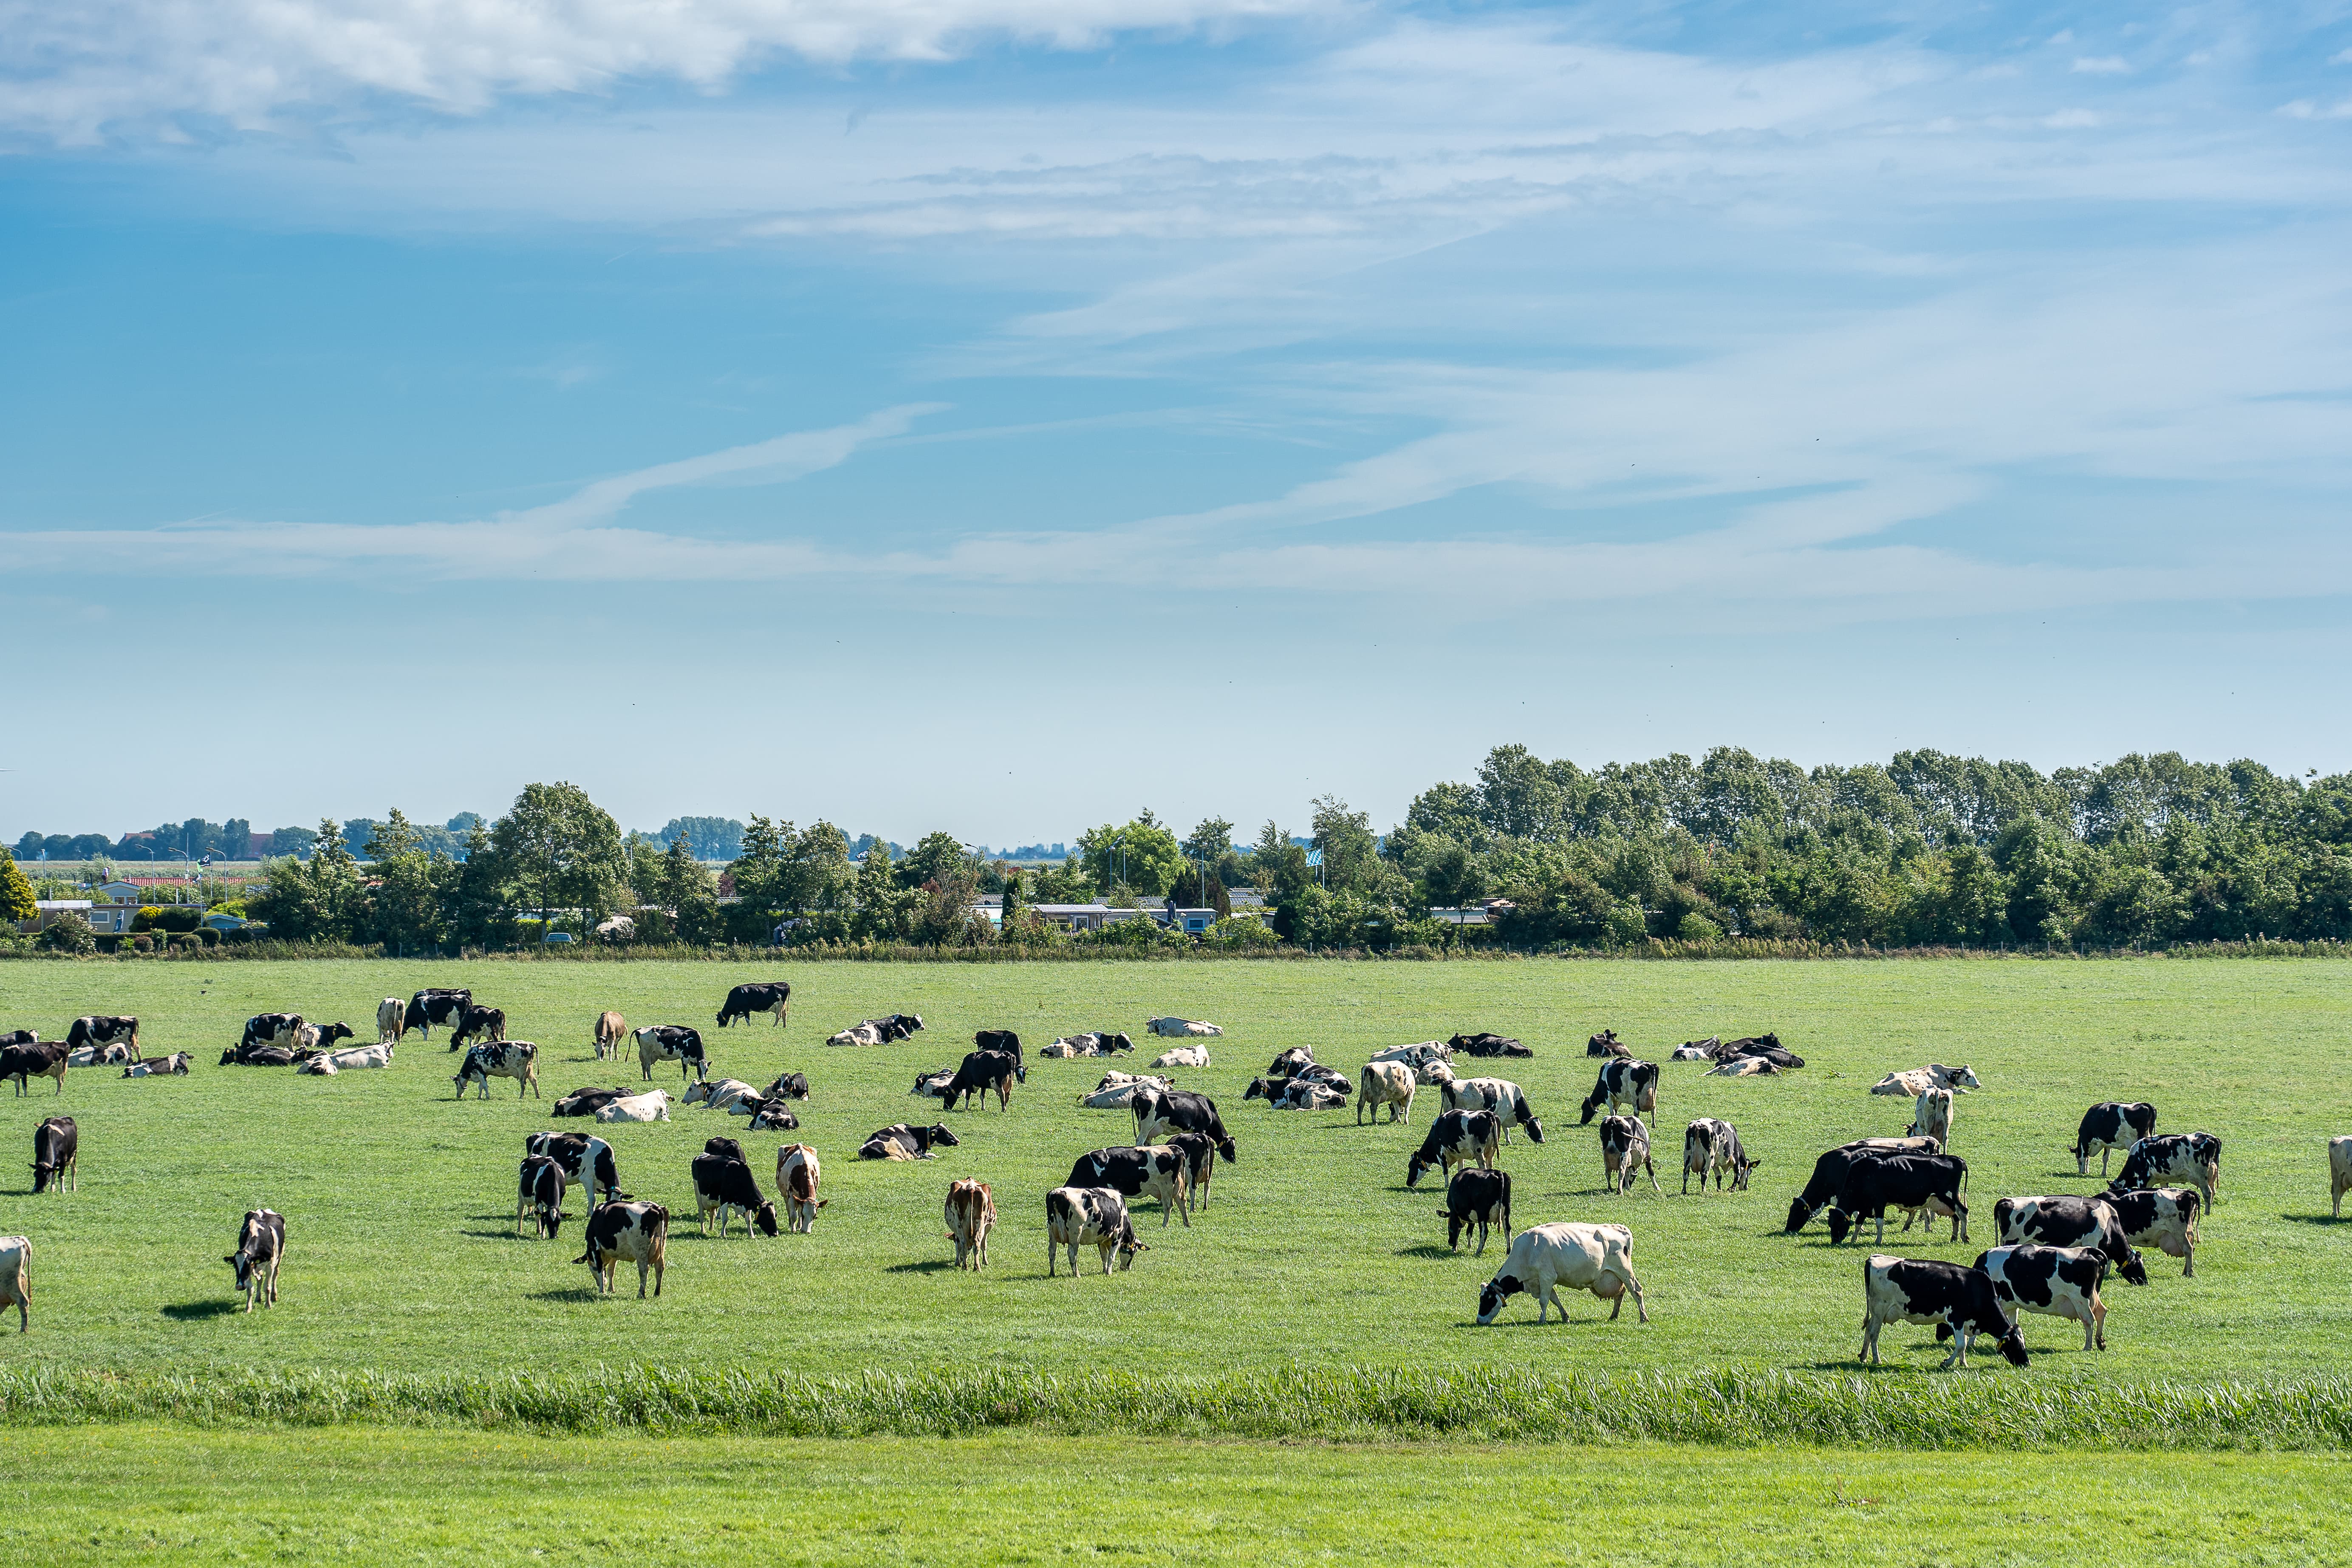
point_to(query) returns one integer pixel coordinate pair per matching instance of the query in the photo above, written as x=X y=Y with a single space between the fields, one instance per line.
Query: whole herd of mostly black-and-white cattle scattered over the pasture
x=2052 y=1254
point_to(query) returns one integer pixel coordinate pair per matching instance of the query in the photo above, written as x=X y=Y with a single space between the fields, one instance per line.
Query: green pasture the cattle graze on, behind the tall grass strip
x=401 y=1202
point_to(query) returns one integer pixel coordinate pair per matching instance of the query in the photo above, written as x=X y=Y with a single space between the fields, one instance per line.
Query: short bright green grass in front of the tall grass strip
x=182 y=1496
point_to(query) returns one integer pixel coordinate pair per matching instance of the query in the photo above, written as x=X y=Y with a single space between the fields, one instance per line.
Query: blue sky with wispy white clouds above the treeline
x=1003 y=415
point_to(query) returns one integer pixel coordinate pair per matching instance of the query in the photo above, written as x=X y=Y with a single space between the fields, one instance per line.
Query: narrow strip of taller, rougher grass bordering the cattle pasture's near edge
x=1984 y=1409
